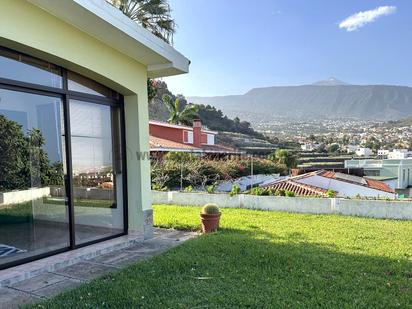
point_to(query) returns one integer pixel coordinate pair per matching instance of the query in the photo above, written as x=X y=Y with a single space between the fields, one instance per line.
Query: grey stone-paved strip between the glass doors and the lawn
x=52 y=282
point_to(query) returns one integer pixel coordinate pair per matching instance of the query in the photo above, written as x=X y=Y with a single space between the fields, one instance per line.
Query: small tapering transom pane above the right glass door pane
x=83 y=84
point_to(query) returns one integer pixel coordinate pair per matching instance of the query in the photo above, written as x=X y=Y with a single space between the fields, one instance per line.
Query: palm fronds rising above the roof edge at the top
x=153 y=15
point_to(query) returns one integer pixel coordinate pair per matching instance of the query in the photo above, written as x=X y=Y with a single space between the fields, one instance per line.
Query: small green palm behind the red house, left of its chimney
x=177 y=116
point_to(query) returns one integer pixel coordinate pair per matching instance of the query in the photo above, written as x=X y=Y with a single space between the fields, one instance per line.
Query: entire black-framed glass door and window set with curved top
x=62 y=173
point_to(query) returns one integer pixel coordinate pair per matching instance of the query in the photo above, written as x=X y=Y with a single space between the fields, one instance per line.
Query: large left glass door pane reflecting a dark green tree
x=33 y=210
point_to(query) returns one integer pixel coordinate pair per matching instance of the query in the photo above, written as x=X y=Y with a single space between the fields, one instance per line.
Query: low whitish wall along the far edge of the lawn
x=364 y=208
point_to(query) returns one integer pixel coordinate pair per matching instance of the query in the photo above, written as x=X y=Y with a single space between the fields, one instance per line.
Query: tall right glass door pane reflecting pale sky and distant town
x=97 y=175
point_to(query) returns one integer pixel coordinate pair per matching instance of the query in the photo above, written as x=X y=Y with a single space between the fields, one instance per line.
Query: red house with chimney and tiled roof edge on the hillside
x=166 y=137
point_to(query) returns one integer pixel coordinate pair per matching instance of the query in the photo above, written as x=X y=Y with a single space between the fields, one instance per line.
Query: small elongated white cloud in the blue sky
x=360 y=19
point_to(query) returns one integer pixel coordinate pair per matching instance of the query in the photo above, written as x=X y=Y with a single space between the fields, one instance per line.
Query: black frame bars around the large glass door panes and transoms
x=66 y=95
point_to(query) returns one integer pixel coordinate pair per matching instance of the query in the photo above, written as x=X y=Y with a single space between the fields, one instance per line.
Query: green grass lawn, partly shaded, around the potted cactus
x=264 y=260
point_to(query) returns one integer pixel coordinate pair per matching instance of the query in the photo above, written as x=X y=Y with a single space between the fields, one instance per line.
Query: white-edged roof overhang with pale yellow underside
x=109 y=25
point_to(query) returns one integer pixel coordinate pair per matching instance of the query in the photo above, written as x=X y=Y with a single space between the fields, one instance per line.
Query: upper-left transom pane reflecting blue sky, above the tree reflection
x=30 y=70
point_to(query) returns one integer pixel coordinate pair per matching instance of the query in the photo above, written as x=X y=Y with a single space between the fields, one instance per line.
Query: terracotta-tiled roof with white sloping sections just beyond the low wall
x=319 y=182
